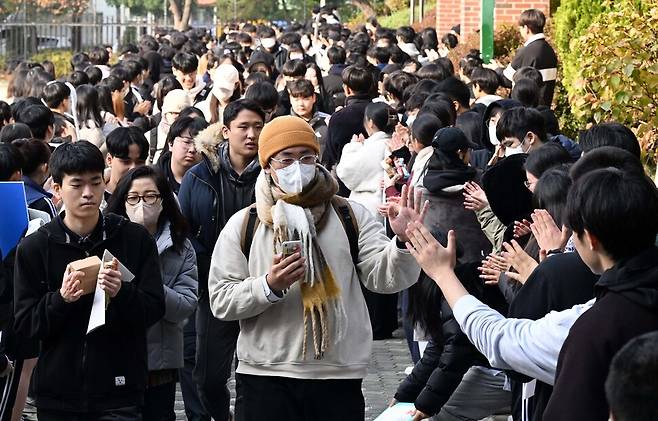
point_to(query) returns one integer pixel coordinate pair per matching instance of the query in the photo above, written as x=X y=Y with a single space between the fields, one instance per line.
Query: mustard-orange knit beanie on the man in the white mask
x=283 y=133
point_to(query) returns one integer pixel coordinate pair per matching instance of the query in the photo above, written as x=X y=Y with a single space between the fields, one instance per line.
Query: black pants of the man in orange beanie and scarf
x=285 y=399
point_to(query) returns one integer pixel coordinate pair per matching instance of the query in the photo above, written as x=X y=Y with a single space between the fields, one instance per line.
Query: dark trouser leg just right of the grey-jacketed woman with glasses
x=194 y=410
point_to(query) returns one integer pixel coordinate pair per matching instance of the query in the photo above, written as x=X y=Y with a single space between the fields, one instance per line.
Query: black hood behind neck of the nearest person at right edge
x=636 y=278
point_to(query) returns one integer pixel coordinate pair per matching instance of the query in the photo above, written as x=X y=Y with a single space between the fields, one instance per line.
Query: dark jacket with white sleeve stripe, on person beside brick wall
x=540 y=55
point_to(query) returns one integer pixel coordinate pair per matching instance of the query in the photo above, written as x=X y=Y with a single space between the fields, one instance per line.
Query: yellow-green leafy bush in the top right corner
x=611 y=69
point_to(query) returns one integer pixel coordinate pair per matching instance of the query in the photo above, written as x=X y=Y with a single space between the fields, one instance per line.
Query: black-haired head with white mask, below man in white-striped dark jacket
x=518 y=127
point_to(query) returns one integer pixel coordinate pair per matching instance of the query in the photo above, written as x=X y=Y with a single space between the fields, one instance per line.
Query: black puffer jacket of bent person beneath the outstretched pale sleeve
x=447 y=358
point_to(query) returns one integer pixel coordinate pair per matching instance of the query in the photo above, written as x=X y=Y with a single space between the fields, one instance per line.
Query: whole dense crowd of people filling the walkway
x=271 y=198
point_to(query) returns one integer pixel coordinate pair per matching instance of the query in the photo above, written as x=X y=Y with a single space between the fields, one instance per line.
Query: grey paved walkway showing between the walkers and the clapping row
x=386 y=371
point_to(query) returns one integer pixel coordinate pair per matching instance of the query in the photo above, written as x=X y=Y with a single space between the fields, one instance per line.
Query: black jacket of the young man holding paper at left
x=107 y=368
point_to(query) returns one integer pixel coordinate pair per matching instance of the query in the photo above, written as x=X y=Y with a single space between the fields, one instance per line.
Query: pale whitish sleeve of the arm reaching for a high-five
x=530 y=347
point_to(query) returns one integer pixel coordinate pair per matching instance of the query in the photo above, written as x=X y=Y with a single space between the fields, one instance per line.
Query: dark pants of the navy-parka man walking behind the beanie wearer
x=216 y=342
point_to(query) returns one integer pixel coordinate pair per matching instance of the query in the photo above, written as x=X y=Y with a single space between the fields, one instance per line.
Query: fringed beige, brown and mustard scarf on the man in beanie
x=301 y=217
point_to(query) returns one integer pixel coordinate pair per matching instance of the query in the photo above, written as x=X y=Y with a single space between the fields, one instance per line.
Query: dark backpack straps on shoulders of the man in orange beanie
x=340 y=205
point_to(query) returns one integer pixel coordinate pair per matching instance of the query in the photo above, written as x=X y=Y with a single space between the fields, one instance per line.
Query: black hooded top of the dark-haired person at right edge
x=626 y=306
